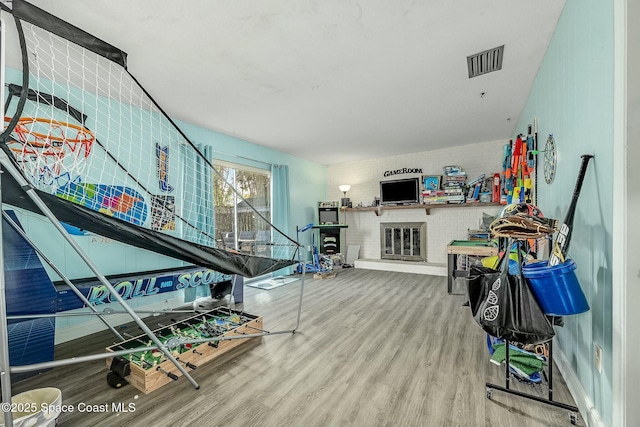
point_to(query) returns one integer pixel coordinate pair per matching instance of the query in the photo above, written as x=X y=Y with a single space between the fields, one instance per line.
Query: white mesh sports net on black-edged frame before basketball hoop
x=90 y=134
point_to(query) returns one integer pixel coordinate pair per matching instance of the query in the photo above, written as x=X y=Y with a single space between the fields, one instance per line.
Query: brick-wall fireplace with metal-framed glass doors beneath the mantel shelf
x=406 y=241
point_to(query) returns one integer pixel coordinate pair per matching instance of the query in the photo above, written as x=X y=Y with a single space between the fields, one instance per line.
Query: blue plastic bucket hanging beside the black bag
x=556 y=288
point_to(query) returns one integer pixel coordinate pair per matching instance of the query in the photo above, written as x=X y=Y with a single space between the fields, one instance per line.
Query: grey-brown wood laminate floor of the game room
x=373 y=349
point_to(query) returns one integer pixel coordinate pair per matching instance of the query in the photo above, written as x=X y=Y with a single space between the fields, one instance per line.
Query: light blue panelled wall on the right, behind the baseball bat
x=572 y=97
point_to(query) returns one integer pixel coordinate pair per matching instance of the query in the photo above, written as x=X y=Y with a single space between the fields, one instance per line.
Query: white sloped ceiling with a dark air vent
x=329 y=80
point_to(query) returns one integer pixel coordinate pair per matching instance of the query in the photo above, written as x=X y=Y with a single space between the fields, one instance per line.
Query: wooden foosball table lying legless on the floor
x=149 y=370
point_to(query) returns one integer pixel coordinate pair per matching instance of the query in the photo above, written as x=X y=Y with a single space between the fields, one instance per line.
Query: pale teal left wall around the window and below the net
x=307 y=182
